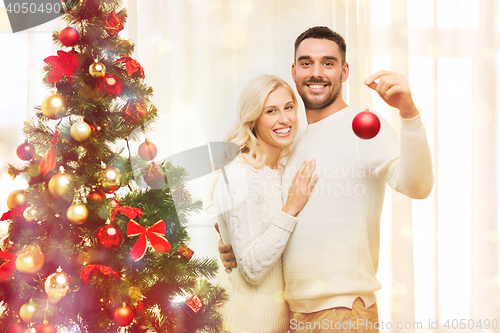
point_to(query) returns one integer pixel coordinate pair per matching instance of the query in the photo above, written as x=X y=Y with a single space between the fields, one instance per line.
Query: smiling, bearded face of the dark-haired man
x=318 y=72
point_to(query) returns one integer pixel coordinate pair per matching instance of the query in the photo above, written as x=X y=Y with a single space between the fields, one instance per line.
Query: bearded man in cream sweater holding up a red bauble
x=332 y=256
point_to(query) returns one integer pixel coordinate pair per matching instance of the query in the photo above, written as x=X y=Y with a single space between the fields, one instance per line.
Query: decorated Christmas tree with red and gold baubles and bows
x=88 y=248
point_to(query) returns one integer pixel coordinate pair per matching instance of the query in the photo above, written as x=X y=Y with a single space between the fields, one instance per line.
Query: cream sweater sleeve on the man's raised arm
x=405 y=165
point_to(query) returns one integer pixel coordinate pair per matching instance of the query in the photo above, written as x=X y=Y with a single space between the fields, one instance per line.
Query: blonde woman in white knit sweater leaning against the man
x=253 y=218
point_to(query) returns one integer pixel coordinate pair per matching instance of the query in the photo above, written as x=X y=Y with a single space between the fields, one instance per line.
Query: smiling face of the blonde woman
x=277 y=123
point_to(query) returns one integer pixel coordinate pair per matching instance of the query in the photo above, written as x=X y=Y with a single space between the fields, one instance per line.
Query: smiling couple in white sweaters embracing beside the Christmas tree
x=303 y=250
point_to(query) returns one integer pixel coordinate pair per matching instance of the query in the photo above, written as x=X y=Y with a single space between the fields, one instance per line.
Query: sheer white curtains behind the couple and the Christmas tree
x=439 y=256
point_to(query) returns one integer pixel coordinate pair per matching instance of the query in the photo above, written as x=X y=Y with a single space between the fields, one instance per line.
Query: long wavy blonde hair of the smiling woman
x=250 y=107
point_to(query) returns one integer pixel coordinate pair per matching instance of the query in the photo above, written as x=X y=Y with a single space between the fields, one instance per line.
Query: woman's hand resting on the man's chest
x=301 y=188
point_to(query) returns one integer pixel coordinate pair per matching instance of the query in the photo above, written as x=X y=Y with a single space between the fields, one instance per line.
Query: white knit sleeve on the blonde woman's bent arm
x=256 y=249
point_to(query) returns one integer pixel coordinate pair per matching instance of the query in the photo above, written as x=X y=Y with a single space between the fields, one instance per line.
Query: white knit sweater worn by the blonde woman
x=253 y=223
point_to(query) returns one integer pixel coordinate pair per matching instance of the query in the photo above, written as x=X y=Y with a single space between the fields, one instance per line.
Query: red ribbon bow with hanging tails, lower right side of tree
x=153 y=234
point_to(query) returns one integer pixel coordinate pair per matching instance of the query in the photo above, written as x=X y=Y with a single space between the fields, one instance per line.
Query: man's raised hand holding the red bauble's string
x=395 y=91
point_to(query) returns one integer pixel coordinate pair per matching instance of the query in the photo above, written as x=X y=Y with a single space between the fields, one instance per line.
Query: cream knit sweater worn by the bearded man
x=332 y=256
